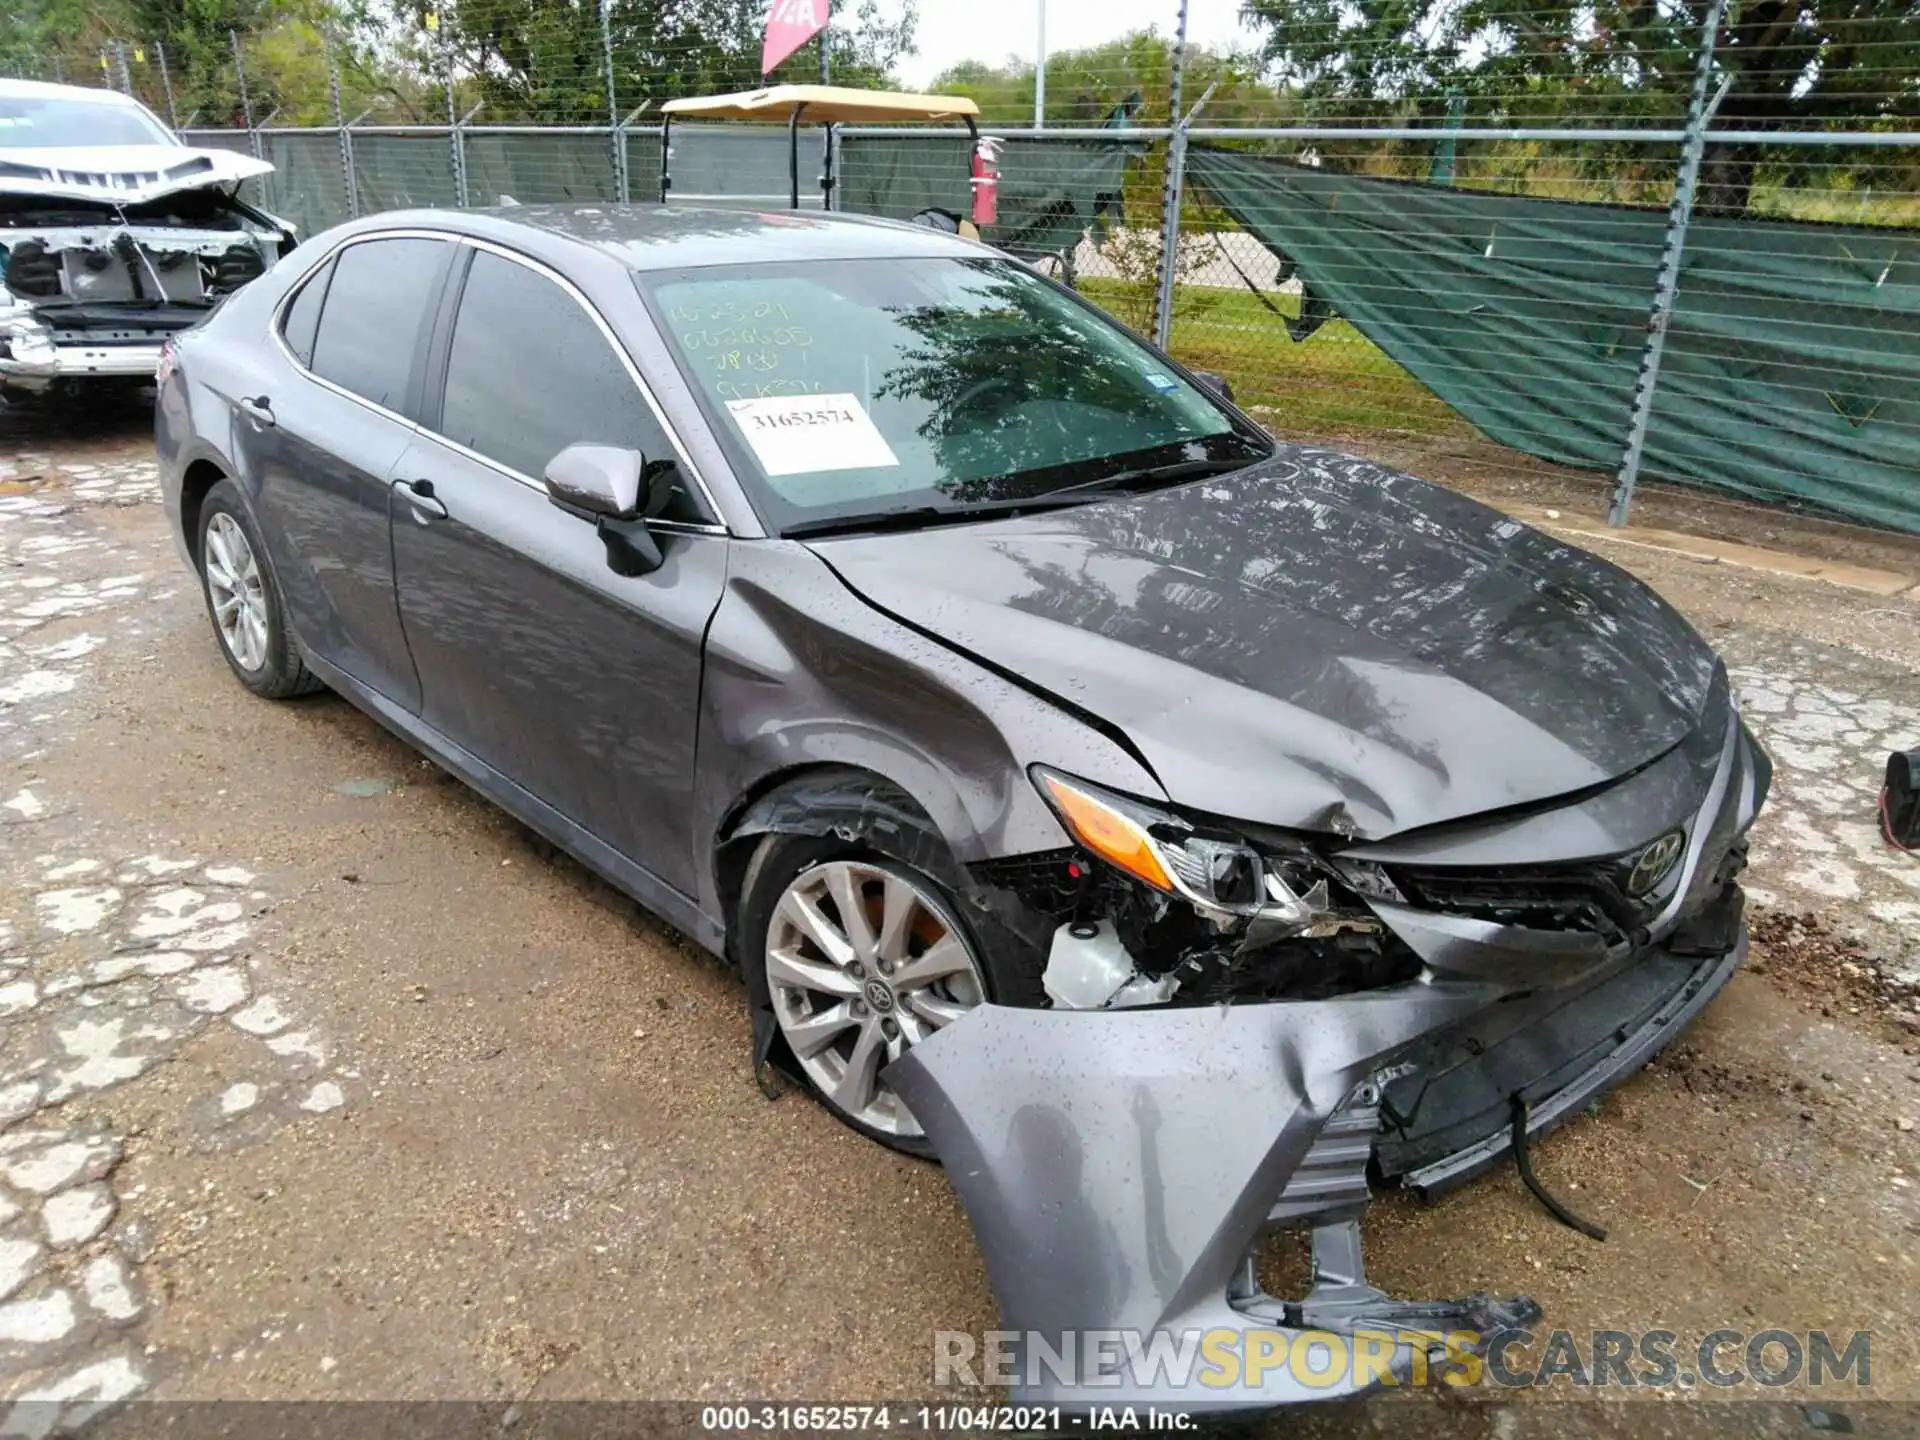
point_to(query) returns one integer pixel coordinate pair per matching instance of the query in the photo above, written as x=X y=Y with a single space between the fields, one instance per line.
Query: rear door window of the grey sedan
x=372 y=322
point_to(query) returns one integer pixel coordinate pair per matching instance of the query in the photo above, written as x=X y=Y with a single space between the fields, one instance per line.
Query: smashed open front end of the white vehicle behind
x=95 y=285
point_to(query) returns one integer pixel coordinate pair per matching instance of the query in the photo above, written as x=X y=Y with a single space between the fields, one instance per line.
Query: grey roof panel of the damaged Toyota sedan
x=677 y=237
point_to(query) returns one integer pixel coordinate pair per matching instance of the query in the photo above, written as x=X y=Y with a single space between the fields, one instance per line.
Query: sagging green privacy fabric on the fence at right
x=1792 y=368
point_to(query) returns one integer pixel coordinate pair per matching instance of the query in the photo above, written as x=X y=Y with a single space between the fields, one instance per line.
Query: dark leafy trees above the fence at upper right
x=1788 y=64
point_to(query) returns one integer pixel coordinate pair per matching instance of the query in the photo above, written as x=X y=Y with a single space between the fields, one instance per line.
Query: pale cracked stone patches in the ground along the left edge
x=110 y=969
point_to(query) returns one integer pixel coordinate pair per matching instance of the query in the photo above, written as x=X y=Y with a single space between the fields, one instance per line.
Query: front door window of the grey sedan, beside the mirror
x=523 y=412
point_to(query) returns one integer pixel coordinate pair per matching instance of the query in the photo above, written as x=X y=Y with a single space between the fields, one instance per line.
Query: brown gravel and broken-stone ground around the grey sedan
x=320 y=1078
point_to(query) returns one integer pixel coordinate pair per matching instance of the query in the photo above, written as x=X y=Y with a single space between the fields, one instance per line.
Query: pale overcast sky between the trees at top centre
x=994 y=30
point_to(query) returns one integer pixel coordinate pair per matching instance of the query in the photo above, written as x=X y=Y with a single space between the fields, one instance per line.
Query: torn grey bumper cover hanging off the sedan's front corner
x=1120 y=1168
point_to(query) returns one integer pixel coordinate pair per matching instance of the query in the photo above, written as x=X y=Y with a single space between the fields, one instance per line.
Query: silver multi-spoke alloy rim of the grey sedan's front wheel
x=861 y=965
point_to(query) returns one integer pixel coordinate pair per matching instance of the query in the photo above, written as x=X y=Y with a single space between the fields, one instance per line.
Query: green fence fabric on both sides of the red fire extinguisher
x=1051 y=191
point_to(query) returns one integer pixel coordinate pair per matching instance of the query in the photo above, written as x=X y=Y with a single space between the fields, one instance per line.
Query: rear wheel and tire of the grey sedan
x=245 y=600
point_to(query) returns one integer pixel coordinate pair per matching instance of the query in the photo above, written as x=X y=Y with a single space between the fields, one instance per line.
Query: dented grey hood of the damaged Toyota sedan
x=1314 y=642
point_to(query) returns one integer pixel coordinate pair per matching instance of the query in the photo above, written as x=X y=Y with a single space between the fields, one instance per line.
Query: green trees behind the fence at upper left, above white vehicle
x=521 y=60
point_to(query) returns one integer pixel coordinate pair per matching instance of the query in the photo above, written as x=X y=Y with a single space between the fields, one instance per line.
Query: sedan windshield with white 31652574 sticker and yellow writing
x=848 y=389
